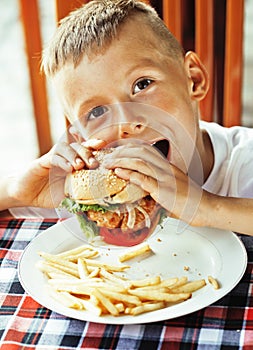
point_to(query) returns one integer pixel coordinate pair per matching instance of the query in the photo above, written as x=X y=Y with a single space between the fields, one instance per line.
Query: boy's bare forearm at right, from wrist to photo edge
x=234 y=214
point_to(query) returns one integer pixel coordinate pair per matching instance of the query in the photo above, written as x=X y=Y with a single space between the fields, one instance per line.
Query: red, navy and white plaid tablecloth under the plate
x=25 y=324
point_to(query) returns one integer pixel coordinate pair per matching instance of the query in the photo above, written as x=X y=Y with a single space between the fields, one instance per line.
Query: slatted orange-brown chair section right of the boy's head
x=218 y=39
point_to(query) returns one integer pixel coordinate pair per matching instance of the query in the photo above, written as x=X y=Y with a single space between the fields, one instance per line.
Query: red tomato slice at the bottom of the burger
x=124 y=238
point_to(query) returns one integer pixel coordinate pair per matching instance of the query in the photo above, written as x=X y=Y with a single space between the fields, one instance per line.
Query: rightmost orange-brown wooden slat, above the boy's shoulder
x=233 y=63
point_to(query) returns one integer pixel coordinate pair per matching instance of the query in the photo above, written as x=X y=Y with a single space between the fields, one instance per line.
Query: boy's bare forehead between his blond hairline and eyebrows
x=96 y=75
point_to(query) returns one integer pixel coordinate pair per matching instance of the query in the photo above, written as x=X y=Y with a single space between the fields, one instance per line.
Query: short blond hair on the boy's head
x=92 y=27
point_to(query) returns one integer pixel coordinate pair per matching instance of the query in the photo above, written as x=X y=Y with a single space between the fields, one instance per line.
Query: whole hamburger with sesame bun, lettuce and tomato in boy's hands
x=117 y=211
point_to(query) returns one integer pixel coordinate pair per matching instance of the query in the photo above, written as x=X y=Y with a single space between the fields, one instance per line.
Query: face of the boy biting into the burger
x=133 y=90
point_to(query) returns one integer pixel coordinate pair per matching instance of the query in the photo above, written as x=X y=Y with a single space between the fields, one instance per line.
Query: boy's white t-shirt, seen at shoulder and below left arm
x=232 y=173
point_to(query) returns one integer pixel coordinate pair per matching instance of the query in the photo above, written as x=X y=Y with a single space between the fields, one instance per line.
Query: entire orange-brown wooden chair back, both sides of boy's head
x=213 y=30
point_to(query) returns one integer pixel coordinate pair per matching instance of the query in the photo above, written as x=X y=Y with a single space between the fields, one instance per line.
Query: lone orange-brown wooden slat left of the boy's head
x=31 y=25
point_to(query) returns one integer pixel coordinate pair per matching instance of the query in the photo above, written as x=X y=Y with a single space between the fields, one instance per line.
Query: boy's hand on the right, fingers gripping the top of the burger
x=144 y=166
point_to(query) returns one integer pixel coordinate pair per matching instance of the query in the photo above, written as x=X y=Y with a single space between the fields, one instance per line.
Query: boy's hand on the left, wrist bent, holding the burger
x=42 y=183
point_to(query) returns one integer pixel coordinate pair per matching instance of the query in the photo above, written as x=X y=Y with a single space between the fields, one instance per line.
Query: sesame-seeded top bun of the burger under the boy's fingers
x=100 y=185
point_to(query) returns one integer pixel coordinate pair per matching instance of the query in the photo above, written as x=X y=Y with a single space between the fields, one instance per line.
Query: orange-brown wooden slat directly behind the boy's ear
x=204 y=46
